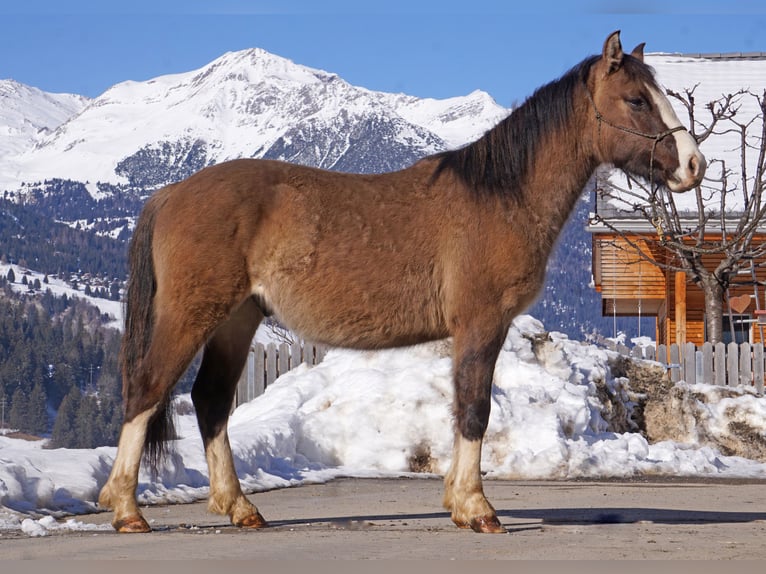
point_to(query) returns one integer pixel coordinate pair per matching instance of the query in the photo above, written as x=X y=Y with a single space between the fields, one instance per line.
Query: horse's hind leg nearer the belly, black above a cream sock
x=224 y=357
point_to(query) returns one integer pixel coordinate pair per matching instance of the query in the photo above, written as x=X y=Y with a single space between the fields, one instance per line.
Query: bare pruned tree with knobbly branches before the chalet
x=726 y=213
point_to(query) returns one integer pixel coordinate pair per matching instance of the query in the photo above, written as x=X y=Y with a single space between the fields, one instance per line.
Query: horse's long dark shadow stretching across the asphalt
x=525 y=519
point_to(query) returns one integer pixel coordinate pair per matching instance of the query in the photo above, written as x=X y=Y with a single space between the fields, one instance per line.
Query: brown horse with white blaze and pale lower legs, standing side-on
x=453 y=246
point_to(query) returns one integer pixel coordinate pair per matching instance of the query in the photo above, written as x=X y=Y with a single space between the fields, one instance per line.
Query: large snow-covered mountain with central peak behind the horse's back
x=244 y=104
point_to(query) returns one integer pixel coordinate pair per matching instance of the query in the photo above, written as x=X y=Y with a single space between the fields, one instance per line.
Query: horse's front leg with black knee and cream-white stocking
x=475 y=359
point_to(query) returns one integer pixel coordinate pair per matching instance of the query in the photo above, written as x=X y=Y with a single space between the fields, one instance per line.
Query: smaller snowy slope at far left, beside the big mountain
x=27 y=115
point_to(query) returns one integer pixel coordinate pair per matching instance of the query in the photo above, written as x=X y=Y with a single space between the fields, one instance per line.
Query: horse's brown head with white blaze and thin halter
x=636 y=126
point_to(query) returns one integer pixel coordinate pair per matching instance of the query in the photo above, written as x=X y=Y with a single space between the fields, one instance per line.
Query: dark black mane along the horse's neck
x=497 y=163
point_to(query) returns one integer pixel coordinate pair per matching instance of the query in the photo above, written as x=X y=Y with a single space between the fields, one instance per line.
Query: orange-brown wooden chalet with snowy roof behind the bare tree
x=632 y=286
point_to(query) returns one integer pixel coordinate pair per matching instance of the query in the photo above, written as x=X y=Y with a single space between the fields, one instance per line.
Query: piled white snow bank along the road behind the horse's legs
x=388 y=413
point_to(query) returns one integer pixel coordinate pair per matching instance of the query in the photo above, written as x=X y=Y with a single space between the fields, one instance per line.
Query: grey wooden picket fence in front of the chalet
x=731 y=365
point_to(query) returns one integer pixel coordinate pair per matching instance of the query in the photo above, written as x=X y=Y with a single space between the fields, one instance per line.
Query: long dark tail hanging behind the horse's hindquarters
x=139 y=328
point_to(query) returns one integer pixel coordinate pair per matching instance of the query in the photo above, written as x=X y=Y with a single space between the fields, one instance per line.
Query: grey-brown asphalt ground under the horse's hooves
x=402 y=519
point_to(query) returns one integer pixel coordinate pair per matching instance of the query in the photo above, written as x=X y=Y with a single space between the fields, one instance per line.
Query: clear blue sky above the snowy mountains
x=430 y=48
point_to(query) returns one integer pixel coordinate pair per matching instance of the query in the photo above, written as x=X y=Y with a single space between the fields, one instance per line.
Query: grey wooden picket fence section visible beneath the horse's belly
x=267 y=362
